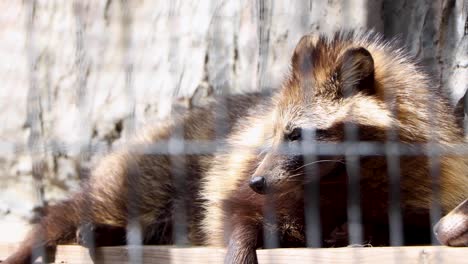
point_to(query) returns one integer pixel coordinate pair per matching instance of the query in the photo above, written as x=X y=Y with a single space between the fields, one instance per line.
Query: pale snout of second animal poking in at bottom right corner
x=452 y=230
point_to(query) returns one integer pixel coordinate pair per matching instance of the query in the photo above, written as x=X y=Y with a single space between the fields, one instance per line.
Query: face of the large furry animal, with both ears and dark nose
x=330 y=94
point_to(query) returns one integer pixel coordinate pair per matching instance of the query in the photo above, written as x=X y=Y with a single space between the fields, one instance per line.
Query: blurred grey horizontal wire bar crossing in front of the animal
x=191 y=147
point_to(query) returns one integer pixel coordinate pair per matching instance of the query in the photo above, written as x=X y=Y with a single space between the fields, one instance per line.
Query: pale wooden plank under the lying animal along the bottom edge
x=174 y=255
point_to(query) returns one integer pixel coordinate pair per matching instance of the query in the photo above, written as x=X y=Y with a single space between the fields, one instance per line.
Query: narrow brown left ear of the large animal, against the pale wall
x=302 y=59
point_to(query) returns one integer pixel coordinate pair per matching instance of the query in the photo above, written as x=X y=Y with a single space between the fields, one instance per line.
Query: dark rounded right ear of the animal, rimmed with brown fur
x=357 y=72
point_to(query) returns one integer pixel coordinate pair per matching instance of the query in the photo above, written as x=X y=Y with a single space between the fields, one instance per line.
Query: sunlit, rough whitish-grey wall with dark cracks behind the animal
x=89 y=73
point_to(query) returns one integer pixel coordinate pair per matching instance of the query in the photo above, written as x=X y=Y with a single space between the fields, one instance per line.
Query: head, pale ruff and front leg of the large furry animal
x=343 y=80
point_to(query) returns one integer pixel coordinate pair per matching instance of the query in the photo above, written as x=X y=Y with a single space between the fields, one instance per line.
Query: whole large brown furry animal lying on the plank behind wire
x=336 y=82
